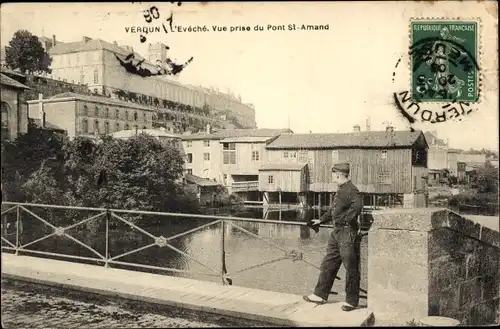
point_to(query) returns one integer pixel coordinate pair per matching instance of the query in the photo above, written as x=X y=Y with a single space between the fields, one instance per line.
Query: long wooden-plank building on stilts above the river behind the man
x=381 y=163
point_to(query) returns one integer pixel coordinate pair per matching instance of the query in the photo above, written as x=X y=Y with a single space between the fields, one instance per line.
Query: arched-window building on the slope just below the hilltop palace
x=85 y=115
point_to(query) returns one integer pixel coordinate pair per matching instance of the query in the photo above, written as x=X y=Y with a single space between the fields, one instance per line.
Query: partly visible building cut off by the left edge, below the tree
x=14 y=113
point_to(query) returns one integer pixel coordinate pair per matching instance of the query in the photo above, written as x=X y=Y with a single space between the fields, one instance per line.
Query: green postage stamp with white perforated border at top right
x=444 y=60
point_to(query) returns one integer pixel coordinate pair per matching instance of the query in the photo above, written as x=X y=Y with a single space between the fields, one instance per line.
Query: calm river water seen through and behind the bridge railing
x=201 y=248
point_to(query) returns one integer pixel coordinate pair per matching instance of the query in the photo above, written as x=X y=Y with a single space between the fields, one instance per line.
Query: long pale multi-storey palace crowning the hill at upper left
x=93 y=62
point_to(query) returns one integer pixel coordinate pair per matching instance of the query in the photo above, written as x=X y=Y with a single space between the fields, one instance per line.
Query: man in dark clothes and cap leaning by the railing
x=343 y=243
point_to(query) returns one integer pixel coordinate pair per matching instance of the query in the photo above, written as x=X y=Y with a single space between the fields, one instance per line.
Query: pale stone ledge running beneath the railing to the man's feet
x=252 y=304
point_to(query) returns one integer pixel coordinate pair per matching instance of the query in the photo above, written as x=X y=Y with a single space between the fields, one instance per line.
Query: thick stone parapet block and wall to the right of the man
x=424 y=262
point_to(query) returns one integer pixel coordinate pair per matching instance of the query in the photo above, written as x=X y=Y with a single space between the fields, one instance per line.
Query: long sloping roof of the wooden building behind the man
x=364 y=139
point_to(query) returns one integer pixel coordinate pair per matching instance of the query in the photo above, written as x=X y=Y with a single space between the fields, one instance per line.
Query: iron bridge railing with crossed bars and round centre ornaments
x=293 y=254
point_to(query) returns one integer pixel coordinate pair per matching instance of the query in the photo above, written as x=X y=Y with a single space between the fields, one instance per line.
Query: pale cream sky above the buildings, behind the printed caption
x=310 y=81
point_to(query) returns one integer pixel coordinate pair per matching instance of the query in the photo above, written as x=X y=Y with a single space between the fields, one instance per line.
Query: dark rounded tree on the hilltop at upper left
x=25 y=52
